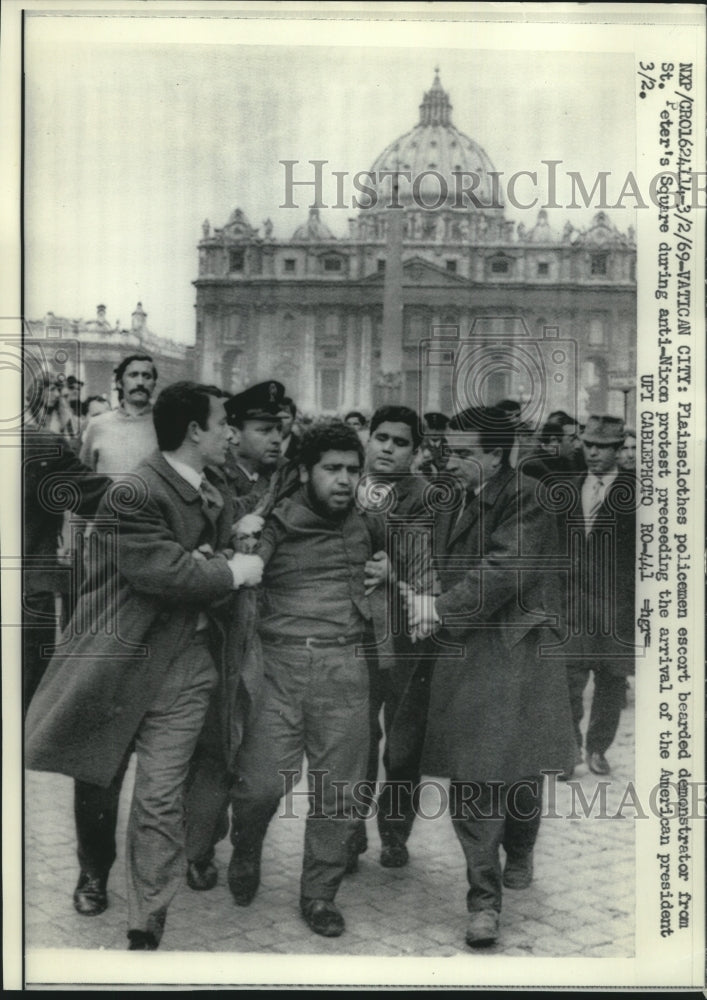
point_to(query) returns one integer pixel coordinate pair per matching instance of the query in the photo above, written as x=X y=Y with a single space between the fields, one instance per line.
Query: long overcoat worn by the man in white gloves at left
x=138 y=609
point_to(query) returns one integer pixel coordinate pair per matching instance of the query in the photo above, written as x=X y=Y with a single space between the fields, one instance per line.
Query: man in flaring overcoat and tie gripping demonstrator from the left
x=136 y=664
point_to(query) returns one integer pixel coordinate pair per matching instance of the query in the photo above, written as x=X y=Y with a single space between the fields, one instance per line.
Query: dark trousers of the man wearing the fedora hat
x=608 y=700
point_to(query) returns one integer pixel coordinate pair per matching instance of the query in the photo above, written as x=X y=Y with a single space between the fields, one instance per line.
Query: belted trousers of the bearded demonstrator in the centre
x=315 y=702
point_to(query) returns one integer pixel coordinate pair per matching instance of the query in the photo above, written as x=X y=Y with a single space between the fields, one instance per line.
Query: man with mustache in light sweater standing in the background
x=116 y=441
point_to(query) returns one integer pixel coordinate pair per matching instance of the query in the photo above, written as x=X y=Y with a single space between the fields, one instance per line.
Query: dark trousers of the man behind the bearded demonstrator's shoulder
x=402 y=690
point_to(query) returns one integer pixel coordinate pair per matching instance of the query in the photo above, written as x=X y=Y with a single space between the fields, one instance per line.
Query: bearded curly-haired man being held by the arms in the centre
x=323 y=565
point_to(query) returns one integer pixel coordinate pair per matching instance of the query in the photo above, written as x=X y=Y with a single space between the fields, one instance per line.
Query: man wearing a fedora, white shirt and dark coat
x=602 y=523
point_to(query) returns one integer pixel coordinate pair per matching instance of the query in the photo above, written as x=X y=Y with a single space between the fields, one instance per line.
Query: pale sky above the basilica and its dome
x=136 y=130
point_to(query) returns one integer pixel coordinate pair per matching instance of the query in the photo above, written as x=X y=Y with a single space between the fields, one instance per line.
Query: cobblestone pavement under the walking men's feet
x=581 y=902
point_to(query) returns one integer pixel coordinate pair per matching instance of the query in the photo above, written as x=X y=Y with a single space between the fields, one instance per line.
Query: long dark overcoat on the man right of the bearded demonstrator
x=499 y=705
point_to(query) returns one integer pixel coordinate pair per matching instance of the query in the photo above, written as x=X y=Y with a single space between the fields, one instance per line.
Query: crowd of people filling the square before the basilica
x=224 y=587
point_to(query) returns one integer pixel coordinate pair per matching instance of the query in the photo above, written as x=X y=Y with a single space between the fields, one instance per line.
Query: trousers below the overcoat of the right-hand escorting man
x=485 y=817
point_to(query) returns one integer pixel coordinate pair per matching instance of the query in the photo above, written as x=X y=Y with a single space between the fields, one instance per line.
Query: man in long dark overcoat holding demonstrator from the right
x=499 y=712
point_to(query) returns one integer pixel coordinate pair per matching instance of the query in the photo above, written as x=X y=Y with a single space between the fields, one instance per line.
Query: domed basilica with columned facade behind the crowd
x=437 y=307
